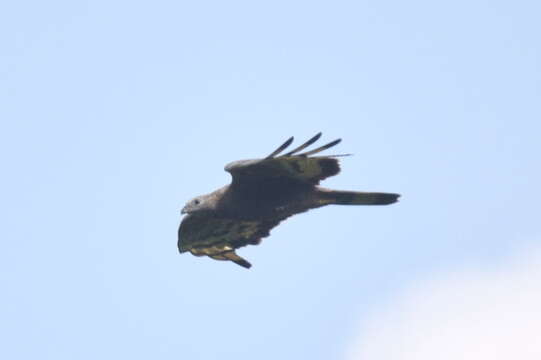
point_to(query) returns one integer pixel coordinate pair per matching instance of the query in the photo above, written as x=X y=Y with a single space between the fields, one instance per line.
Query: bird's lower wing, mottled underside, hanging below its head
x=218 y=238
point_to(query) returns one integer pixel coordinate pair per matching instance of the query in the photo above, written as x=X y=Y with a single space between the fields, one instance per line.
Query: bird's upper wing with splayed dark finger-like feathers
x=293 y=166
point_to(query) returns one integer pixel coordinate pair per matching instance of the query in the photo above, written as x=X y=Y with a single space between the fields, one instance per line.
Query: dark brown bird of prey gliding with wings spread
x=263 y=192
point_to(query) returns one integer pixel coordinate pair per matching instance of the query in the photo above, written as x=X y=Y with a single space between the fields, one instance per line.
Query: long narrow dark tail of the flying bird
x=356 y=198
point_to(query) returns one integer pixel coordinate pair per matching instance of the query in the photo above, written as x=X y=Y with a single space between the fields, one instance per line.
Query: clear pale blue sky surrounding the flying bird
x=115 y=114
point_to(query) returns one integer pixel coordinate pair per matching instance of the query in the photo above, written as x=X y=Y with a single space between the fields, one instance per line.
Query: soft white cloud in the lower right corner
x=470 y=314
